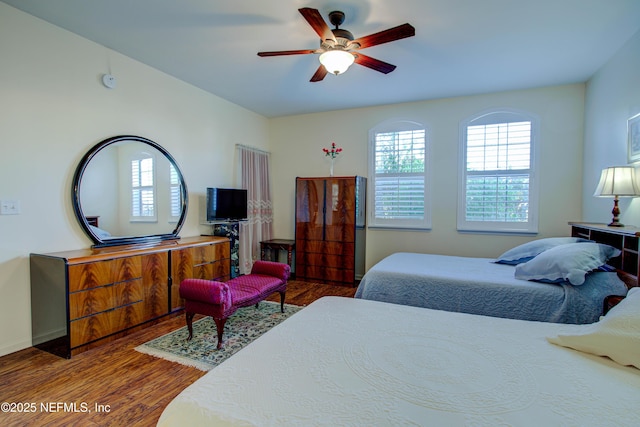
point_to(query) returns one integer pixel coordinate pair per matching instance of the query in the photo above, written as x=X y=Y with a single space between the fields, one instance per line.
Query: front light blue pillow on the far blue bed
x=566 y=262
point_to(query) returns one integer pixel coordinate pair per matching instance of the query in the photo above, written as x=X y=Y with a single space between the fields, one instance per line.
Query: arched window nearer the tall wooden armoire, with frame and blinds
x=398 y=167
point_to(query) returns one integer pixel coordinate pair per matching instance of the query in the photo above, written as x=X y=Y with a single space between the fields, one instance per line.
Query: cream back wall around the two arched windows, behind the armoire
x=297 y=142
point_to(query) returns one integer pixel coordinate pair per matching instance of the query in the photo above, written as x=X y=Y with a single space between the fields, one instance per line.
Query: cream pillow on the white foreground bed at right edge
x=616 y=335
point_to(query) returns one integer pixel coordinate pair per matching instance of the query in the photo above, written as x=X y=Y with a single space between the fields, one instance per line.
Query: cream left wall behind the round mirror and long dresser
x=53 y=108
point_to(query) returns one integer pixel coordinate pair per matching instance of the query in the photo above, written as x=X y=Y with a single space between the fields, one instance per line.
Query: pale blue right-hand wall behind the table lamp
x=613 y=95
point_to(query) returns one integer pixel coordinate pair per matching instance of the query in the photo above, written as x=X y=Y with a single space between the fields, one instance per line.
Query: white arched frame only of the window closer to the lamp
x=495 y=116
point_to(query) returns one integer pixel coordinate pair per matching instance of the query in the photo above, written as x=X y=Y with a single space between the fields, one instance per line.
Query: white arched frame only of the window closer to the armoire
x=398 y=125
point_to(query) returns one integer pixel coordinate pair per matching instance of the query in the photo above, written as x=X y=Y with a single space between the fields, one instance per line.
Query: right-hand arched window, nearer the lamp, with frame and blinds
x=498 y=173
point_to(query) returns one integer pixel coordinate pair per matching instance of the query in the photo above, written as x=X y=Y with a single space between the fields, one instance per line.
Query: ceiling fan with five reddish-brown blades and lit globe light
x=338 y=48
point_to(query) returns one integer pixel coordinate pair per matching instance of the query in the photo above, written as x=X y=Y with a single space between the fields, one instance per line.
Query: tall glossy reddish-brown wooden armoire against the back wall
x=330 y=229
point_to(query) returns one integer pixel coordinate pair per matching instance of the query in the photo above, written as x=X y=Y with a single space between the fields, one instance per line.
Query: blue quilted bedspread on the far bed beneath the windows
x=480 y=286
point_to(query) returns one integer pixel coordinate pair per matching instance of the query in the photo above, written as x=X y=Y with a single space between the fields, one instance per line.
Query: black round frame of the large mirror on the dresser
x=77 y=205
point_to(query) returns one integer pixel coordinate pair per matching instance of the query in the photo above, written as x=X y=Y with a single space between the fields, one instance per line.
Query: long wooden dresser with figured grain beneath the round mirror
x=81 y=299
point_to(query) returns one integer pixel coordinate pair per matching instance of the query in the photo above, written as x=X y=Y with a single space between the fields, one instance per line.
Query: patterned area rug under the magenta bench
x=244 y=326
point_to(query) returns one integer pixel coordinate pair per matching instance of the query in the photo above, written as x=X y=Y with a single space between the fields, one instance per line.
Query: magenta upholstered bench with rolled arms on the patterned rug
x=220 y=300
